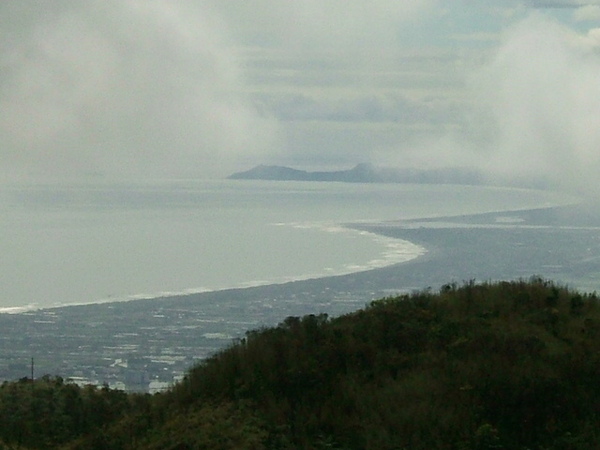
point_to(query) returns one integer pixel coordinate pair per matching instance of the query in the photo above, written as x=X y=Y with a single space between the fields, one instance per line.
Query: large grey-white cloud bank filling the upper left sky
x=122 y=87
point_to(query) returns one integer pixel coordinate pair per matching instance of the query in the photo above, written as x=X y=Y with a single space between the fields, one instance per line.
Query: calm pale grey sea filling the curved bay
x=81 y=244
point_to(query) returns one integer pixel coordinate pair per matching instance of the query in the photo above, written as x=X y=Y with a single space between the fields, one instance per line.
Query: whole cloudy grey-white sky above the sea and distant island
x=162 y=89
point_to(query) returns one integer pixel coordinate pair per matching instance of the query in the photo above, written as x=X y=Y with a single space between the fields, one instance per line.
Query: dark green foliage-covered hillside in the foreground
x=511 y=365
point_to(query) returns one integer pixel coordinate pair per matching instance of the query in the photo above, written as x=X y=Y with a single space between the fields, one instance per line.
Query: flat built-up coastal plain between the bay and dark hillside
x=147 y=345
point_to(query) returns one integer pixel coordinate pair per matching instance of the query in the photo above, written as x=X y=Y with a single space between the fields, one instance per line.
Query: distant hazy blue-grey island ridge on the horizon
x=364 y=173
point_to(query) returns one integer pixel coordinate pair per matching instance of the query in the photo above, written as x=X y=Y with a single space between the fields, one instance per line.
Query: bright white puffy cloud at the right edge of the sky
x=541 y=99
